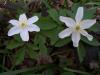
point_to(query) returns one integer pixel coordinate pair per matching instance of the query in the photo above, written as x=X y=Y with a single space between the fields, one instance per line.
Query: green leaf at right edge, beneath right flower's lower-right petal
x=94 y=42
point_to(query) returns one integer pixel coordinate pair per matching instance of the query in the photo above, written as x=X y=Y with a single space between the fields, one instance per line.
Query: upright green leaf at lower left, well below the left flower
x=20 y=56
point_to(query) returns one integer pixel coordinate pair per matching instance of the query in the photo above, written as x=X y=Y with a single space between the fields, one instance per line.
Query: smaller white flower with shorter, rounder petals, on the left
x=23 y=26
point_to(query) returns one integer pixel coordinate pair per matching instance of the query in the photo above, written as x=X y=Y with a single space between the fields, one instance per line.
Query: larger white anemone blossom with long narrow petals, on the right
x=76 y=27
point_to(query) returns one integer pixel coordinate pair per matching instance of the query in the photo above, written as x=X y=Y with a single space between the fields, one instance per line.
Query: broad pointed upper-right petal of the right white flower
x=87 y=23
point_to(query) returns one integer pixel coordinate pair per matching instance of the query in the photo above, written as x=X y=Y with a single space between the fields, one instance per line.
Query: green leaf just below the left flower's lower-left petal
x=12 y=44
